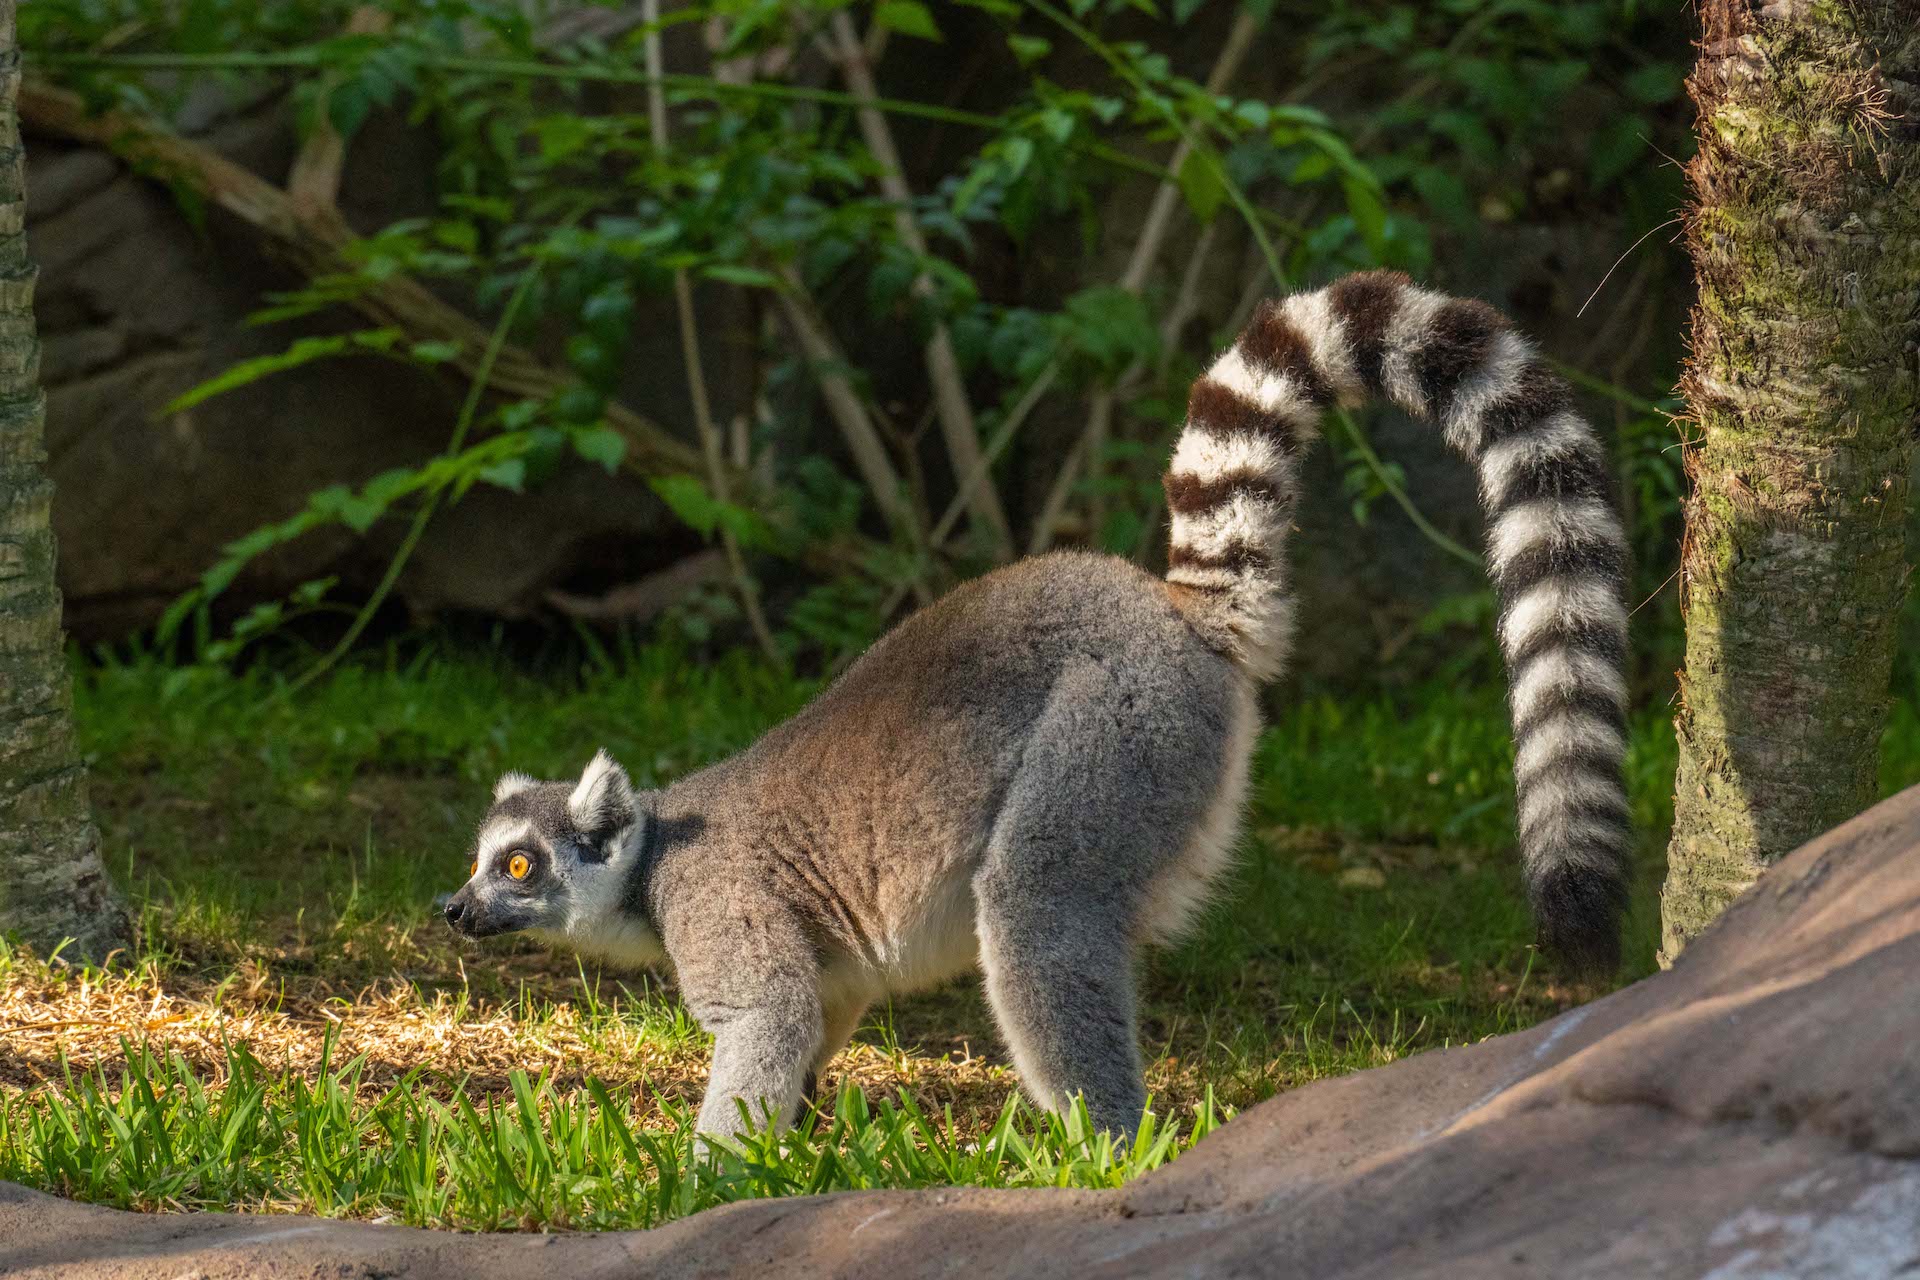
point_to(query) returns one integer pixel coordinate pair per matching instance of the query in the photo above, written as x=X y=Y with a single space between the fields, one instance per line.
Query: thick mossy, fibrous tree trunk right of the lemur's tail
x=1802 y=392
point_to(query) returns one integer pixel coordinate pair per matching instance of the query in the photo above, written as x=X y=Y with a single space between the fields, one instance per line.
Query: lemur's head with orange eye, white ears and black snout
x=552 y=859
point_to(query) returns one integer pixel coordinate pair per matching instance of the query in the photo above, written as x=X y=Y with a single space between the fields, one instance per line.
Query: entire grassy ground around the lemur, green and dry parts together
x=299 y=1031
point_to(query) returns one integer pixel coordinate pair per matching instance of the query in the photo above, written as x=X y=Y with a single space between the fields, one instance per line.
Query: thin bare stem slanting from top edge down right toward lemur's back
x=944 y=367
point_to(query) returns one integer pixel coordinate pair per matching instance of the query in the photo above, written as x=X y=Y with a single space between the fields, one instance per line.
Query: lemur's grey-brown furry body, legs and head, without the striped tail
x=1015 y=778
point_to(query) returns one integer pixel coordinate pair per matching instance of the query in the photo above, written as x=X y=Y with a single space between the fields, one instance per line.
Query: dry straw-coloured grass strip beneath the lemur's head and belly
x=60 y=1022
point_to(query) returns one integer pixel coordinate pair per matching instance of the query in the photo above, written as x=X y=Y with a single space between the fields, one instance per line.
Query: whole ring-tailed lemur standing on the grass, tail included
x=1045 y=769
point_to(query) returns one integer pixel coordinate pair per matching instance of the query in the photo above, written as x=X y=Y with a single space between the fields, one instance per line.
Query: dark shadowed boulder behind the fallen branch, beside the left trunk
x=135 y=306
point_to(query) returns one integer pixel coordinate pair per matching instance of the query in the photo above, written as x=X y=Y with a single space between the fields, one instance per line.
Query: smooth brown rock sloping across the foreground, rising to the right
x=1752 y=1114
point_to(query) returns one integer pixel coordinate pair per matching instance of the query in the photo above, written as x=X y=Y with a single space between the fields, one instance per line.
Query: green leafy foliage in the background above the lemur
x=769 y=189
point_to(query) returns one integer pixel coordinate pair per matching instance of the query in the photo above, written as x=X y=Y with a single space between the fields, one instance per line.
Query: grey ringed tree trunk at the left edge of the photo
x=53 y=888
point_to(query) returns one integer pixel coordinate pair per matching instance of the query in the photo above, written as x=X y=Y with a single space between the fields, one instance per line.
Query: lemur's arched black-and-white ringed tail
x=1556 y=548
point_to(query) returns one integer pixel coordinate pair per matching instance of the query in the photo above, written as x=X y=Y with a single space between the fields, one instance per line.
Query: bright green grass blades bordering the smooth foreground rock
x=158 y=1137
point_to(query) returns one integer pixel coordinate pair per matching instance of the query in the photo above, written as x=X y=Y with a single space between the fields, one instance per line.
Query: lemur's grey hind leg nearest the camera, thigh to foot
x=1113 y=786
